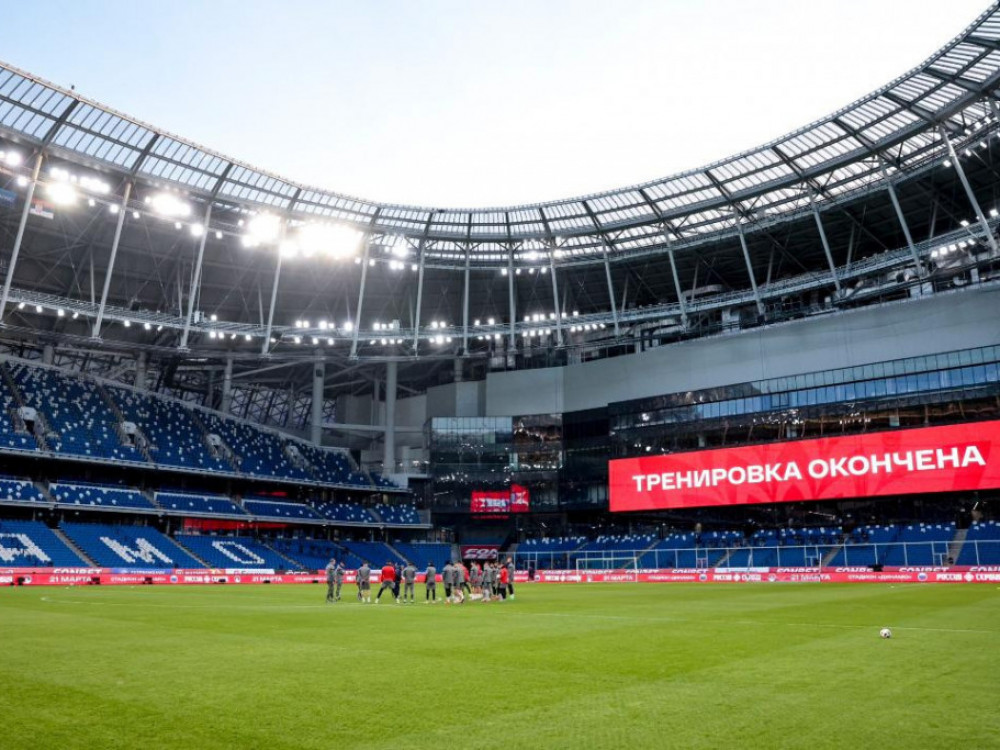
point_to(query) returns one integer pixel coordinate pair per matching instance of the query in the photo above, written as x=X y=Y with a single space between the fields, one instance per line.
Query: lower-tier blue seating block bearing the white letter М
x=131 y=546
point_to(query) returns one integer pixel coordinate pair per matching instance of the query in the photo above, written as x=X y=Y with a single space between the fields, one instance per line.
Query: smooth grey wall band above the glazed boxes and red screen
x=913 y=328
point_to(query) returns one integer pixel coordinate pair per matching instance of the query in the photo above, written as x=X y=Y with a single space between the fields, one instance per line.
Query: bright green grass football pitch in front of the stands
x=561 y=666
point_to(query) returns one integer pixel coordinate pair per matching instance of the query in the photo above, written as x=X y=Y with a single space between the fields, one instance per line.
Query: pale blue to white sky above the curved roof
x=474 y=103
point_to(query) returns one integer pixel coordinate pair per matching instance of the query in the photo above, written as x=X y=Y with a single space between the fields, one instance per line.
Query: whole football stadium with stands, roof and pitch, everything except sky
x=709 y=459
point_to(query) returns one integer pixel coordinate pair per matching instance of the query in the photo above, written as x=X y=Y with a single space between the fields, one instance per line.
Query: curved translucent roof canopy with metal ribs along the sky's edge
x=899 y=127
